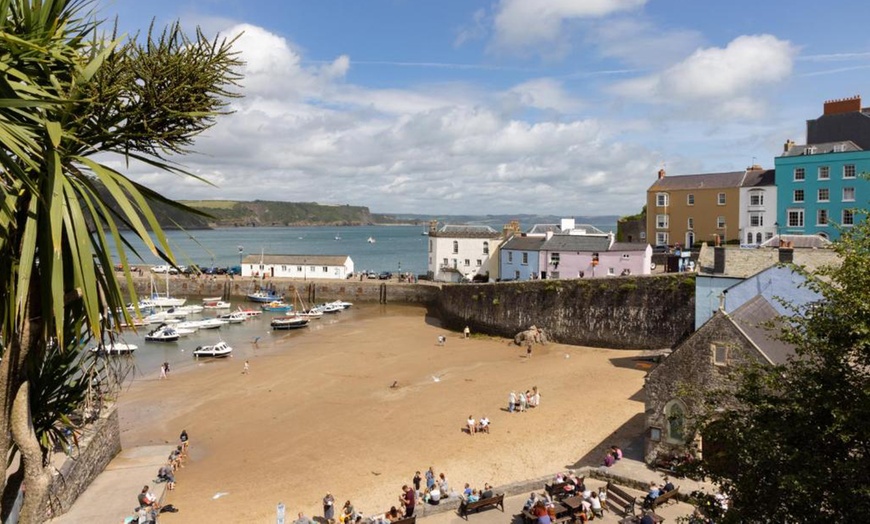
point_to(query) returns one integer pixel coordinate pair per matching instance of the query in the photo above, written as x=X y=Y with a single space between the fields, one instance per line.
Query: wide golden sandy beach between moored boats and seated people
x=316 y=413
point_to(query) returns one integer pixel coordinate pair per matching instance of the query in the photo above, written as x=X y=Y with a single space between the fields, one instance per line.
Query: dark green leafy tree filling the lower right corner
x=798 y=436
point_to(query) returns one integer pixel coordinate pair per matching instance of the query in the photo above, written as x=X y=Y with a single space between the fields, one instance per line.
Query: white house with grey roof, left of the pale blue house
x=460 y=252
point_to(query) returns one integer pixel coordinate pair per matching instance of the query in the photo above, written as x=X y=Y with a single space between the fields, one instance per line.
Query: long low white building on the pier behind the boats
x=298 y=266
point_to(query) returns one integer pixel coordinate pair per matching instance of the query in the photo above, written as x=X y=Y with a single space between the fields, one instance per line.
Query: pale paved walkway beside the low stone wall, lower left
x=112 y=495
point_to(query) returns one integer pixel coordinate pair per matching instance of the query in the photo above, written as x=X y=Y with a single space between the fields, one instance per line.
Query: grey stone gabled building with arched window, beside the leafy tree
x=704 y=361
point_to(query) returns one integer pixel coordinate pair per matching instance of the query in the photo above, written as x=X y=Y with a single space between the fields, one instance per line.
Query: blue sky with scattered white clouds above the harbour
x=561 y=107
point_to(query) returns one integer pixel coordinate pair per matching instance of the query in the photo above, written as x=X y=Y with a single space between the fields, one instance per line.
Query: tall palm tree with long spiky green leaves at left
x=69 y=92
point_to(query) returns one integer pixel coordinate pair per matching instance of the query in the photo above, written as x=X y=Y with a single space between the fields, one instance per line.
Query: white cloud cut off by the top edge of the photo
x=523 y=24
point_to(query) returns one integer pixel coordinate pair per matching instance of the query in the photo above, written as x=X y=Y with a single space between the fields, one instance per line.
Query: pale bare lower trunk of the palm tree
x=36 y=475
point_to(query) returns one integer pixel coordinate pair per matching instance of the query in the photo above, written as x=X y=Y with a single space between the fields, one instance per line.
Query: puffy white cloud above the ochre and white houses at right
x=723 y=81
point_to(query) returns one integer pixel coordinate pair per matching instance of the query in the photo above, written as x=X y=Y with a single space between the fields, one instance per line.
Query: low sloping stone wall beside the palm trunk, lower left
x=97 y=447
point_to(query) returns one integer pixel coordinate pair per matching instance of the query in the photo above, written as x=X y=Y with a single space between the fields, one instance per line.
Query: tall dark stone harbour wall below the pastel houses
x=627 y=312
